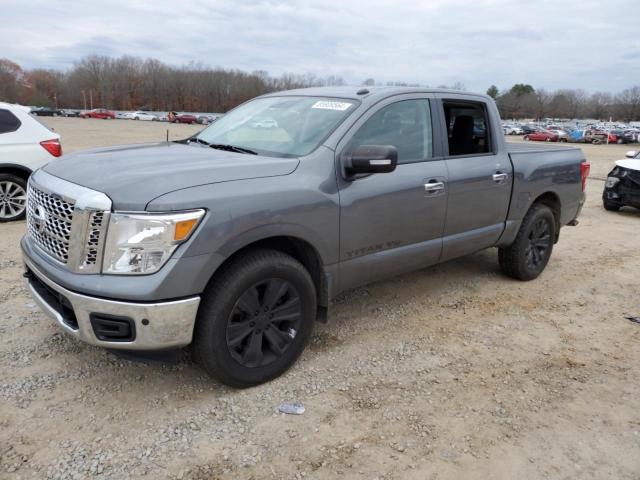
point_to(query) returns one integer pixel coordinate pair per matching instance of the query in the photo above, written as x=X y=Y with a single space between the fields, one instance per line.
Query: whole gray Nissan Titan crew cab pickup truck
x=235 y=240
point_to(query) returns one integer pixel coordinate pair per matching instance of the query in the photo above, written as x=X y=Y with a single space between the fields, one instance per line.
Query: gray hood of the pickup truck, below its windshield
x=133 y=175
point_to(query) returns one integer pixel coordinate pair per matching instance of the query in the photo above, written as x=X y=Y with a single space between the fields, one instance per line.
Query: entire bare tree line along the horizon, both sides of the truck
x=131 y=83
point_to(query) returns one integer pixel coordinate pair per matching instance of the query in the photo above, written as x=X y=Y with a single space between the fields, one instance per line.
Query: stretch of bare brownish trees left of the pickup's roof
x=131 y=83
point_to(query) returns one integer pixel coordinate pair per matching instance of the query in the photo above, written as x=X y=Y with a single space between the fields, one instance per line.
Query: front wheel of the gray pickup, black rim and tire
x=226 y=332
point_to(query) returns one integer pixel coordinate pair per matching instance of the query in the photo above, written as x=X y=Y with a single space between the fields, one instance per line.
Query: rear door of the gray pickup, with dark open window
x=480 y=175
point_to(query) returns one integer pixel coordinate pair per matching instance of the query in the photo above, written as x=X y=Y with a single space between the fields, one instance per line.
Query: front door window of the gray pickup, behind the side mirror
x=406 y=125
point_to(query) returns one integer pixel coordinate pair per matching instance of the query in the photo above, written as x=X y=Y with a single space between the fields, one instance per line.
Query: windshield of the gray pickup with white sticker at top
x=279 y=126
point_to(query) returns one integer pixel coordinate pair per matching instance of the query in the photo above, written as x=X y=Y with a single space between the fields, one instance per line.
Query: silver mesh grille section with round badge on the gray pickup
x=49 y=219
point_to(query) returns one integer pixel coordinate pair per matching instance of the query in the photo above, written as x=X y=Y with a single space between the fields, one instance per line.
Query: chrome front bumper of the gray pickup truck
x=157 y=325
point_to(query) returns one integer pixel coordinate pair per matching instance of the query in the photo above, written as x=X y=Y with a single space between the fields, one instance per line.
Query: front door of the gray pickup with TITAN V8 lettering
x=391 y=223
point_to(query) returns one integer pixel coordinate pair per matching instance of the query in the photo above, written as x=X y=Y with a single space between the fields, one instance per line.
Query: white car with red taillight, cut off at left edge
x=25 y=146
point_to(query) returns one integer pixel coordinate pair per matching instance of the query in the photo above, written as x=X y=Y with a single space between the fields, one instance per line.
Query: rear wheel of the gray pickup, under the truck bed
x=529 y=254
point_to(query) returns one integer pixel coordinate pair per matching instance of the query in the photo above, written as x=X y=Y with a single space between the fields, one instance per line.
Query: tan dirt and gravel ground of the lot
x=453 y=372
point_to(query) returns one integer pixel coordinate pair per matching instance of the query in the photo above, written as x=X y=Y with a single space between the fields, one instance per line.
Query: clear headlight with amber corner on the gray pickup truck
x=140 y=243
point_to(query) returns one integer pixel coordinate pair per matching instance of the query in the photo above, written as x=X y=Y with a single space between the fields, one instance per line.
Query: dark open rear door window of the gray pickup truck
x=467 y=128
